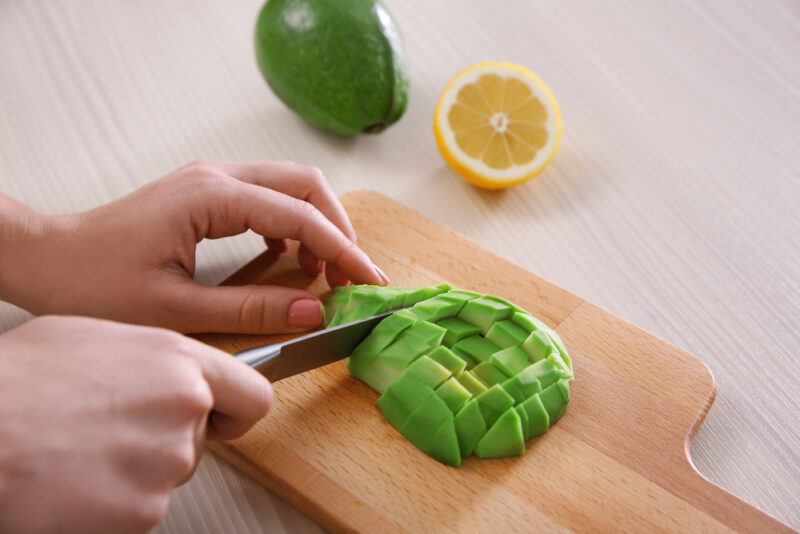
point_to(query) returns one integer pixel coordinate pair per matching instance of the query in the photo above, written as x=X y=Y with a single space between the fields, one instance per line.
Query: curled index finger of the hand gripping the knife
x=241 y=395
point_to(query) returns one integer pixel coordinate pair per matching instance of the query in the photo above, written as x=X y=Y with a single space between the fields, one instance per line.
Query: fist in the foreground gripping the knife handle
x=100 y=421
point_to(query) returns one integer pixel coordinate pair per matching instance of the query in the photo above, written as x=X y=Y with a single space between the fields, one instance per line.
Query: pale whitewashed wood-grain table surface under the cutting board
x=675 y=200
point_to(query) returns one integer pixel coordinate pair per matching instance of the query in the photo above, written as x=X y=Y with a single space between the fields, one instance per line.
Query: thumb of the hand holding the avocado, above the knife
x=245 y=309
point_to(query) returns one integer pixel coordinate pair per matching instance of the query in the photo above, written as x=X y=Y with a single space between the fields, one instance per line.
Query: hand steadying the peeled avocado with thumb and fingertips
x=133 y=260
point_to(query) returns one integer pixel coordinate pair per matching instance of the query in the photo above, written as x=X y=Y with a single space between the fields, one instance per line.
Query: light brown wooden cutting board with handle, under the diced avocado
x=618 y=460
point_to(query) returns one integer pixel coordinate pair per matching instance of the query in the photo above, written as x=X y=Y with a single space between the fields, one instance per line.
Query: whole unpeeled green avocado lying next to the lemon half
x=337 y=63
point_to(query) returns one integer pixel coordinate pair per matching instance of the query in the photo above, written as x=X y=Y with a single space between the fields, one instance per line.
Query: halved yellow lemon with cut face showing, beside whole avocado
x=497 y=124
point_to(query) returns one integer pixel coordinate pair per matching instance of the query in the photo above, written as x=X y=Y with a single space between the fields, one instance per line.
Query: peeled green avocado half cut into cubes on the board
x=458 y=372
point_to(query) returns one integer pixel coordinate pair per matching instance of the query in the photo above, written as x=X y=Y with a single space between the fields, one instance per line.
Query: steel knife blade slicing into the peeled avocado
x=277 y=361
